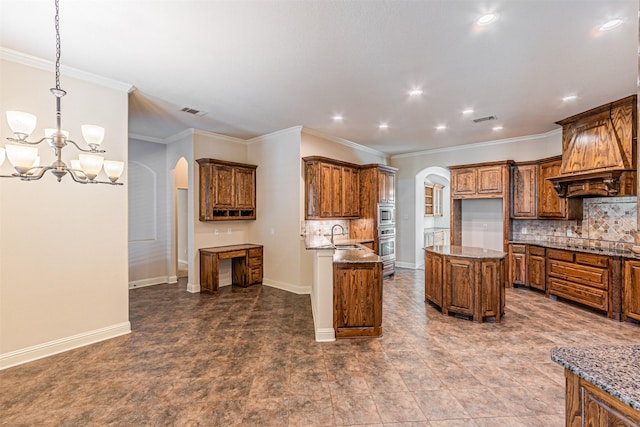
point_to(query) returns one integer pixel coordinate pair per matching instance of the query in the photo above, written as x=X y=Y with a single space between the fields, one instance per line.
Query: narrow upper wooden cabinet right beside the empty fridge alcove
x=524 y=191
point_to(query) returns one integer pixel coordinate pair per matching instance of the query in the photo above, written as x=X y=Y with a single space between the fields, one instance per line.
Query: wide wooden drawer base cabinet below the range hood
x=585 y=278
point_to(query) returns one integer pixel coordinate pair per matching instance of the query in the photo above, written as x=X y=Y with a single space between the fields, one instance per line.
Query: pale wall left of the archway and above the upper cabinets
x=410 y=165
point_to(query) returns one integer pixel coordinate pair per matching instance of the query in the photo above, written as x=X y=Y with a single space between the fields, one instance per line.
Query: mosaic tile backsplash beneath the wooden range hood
x=609 y=222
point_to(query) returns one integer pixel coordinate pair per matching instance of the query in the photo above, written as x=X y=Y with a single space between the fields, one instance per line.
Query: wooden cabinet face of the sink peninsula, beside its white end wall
x=357 y=299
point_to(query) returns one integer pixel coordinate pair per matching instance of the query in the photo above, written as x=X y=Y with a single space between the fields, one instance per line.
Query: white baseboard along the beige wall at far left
x=50 y=348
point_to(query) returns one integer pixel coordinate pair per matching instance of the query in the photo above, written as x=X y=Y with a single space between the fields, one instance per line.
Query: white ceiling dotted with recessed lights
x=257 y=67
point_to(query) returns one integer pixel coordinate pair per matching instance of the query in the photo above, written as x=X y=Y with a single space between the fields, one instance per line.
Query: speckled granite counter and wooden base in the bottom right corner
x=602 y=387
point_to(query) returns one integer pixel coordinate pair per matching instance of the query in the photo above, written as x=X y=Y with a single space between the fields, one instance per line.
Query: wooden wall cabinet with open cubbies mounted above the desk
x=227 y=190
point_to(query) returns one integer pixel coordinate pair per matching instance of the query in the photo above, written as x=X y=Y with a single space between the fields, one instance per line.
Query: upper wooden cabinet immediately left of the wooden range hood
x=550 y=205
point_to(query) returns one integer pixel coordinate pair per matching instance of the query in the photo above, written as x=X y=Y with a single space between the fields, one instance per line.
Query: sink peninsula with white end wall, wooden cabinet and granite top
x=346 y=293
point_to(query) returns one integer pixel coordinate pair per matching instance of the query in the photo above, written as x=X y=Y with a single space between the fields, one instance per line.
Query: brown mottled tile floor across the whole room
x=247 y=357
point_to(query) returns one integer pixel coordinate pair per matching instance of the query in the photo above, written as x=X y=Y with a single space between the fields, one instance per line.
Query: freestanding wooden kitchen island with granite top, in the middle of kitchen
x=465 y=280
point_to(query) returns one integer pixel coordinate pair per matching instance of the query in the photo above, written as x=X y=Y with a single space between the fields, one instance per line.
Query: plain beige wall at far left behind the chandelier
x=63 y=268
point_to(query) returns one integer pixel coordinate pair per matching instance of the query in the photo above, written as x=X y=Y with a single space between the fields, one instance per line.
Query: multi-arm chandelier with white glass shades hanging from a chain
x=24 y=156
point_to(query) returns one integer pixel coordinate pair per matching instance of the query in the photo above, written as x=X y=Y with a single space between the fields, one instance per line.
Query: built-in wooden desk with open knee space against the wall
x=246 y=265
